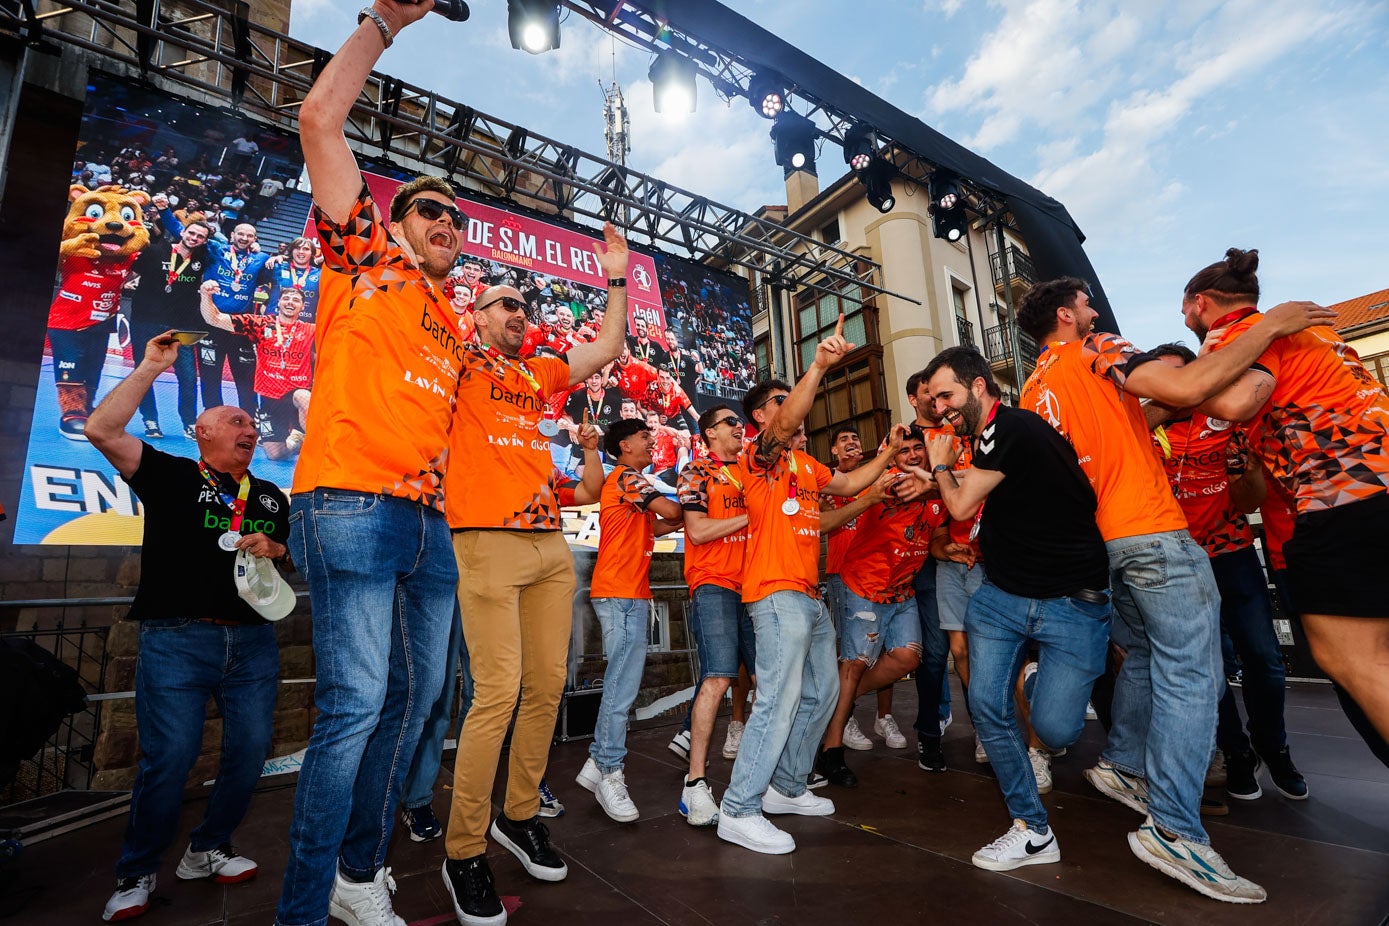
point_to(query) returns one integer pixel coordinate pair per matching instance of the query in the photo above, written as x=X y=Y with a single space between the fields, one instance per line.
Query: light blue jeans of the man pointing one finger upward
x=798 y=687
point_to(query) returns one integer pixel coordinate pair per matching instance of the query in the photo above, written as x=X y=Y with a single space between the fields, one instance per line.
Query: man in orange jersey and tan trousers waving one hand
x=516 y=578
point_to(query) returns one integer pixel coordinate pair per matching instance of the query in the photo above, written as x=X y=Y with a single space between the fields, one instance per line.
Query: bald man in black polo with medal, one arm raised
x=199 y=639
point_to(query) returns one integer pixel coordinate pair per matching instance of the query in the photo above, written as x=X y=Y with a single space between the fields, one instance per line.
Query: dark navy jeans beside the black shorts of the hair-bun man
x=1248 y=617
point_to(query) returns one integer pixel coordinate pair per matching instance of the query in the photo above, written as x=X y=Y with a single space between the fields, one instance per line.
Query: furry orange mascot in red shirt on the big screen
x=101 y=238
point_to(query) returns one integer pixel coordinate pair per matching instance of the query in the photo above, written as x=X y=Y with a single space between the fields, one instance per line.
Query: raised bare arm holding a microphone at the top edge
x=333 y=170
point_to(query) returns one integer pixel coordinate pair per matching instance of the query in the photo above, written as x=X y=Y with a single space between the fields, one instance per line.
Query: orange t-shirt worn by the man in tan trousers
x=505 y=475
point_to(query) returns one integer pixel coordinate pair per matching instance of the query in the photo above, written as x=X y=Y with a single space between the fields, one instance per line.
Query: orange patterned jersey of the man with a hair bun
x=1323 y=431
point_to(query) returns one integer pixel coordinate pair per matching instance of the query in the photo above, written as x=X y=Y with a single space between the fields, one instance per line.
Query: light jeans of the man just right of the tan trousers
x=626 y=634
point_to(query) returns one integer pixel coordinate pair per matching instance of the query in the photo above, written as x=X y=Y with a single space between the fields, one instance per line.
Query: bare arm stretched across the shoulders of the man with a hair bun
x=1209 y=374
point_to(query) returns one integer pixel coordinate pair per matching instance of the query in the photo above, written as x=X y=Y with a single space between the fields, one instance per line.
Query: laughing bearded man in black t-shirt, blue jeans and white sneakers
x=1047 y=581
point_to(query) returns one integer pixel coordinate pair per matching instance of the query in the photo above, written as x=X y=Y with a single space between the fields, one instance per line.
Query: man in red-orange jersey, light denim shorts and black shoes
x=880 y=632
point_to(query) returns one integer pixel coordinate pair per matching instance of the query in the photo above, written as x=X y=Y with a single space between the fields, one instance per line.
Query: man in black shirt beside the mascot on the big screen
x=167 y=298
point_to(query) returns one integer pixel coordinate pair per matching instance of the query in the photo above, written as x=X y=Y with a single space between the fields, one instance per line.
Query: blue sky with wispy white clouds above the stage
x=1172 y=130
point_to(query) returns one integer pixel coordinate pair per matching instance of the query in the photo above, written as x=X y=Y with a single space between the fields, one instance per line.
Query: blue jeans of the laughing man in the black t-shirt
x=1073 y=639
